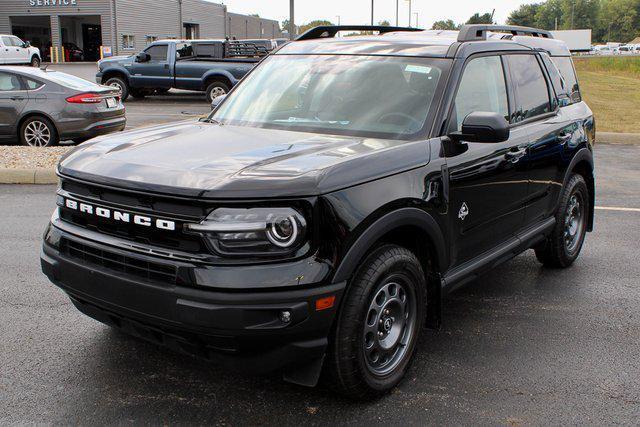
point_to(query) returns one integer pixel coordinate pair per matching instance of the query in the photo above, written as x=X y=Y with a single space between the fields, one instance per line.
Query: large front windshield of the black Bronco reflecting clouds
x=372 y=96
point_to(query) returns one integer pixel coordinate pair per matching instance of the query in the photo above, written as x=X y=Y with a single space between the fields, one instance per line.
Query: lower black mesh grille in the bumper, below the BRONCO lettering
x=150 y=271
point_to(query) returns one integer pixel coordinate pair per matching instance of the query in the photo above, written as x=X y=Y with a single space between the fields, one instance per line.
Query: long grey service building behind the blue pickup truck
x=124 y=26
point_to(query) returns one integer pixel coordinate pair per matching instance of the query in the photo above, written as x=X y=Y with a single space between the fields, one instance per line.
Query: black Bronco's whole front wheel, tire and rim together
x=362 y=330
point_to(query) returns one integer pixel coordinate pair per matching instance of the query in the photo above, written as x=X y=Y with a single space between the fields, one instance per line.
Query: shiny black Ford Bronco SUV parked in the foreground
x=313 y=222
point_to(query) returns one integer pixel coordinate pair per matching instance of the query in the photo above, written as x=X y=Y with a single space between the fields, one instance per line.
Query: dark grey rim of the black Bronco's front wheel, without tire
x=389 y=325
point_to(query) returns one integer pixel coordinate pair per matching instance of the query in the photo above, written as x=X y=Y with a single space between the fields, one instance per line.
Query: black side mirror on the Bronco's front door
x=483 y=127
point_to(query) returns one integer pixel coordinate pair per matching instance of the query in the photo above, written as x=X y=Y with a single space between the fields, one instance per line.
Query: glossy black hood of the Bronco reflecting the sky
x=221 y=161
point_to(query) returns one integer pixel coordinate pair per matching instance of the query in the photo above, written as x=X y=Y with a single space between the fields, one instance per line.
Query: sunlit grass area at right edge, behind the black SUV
x=611 y=87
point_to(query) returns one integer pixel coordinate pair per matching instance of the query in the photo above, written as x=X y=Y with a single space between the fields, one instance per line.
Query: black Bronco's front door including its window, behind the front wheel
x=488 y=182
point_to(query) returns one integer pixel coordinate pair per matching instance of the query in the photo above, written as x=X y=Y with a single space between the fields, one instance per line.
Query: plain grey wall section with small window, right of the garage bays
x=146 y=17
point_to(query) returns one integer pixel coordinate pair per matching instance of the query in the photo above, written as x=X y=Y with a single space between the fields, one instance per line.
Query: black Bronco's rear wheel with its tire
x=564 y=245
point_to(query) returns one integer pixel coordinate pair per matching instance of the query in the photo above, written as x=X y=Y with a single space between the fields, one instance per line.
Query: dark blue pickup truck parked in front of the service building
x=212 y=66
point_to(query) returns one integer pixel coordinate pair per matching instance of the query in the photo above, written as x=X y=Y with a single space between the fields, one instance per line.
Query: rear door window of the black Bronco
x=531 y=87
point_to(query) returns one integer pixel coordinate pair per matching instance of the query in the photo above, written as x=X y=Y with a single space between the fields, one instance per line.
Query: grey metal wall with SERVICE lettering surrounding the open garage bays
x=84 y=7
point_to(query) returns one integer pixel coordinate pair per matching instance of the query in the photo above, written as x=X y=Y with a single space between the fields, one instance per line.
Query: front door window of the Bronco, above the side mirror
x=482 y=88
